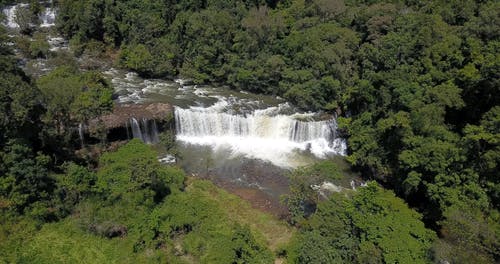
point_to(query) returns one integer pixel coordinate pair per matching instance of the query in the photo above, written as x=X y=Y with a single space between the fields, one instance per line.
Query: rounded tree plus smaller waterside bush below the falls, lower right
x=337 y=225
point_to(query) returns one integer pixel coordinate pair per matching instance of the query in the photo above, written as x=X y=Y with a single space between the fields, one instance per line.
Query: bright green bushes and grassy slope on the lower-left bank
x=136 y=210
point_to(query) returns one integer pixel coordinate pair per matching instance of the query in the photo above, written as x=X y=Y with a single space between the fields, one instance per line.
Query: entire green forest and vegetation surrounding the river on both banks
x=415 y=86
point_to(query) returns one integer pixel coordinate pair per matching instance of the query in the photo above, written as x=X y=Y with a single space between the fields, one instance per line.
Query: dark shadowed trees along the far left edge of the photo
x=25 y=184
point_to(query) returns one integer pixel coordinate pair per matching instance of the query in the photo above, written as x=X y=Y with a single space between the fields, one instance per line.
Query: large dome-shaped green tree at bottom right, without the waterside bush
x=372 y=226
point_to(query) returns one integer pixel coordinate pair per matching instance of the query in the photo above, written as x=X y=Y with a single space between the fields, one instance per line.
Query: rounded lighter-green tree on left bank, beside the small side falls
x=72 y=98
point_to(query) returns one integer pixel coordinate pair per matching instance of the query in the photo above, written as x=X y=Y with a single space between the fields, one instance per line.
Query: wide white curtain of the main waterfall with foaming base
x=262 y=134
